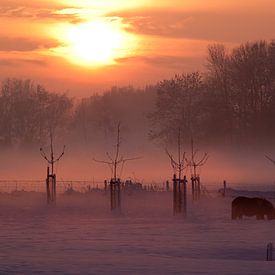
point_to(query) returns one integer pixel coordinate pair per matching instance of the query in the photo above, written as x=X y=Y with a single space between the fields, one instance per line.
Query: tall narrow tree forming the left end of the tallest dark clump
x=218 y=99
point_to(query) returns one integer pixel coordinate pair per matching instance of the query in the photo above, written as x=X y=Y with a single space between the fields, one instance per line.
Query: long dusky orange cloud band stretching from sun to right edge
x=223 y=26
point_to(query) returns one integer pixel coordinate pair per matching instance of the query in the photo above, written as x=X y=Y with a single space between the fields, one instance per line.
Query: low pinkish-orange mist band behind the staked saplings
x=236 y=167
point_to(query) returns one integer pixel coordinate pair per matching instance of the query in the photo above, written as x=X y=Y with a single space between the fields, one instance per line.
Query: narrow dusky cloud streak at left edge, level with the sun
x=25 y=44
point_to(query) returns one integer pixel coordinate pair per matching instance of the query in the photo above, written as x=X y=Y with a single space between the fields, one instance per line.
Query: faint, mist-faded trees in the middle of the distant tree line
x=99 y=114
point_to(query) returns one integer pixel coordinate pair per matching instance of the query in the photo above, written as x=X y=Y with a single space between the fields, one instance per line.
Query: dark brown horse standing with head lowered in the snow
x=243 y=206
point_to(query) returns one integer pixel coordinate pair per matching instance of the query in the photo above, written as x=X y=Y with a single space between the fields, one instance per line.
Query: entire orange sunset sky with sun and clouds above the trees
x=84 y=47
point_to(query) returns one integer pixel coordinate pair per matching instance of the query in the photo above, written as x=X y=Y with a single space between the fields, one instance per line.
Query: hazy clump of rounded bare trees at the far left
x=28 y=111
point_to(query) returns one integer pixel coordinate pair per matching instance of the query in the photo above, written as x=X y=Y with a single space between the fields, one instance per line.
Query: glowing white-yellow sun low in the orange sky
x=95 y=44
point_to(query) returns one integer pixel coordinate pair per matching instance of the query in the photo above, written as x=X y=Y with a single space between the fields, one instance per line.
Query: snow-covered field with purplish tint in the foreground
x=80 y=236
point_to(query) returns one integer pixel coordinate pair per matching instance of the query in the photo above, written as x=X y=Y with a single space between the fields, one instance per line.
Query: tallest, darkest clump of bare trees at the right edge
x=244 y=84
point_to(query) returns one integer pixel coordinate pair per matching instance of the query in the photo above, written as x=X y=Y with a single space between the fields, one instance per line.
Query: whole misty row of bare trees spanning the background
x=231 y=102
